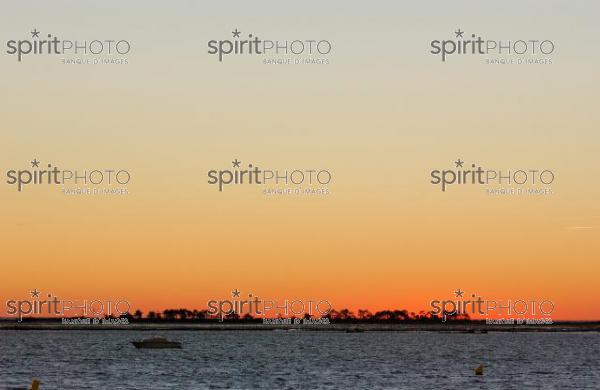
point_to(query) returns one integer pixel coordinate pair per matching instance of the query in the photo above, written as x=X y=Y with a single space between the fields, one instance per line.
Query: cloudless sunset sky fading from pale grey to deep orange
x=380 y=116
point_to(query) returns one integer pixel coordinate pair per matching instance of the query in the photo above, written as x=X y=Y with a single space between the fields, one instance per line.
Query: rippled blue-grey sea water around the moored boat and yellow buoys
x=300 y=360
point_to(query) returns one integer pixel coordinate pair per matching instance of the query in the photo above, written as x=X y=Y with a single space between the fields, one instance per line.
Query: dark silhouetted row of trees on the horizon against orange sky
x=343 y=315
